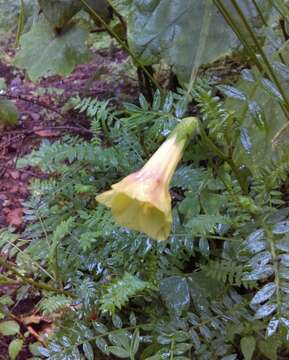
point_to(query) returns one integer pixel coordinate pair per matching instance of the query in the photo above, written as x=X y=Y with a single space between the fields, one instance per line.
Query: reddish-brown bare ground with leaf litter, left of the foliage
x=41 y=119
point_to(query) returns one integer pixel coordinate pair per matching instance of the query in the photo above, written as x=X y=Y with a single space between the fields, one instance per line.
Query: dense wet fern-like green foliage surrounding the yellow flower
x=218 y=287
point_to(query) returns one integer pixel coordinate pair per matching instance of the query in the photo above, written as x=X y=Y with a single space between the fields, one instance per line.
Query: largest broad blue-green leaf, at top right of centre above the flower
x=184 y=33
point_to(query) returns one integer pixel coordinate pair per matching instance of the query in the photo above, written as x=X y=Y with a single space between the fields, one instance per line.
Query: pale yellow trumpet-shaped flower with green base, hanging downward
x=141 y=201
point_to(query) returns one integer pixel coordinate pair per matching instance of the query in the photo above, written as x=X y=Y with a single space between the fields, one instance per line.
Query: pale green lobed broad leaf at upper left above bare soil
x=44 y=52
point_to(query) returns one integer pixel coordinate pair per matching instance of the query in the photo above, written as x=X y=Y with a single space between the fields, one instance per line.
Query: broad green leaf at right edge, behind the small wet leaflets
x=264 y=123
